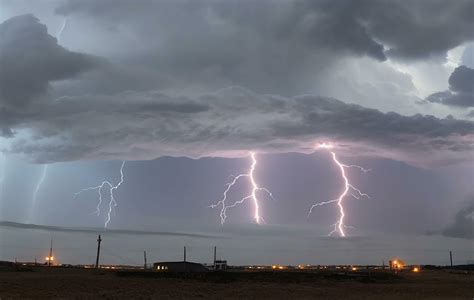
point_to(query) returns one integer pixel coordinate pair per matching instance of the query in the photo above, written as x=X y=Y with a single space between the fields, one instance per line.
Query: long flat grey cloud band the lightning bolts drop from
x=137 y=125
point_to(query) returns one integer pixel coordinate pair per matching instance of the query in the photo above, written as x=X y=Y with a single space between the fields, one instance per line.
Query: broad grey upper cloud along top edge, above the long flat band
x=281 y=47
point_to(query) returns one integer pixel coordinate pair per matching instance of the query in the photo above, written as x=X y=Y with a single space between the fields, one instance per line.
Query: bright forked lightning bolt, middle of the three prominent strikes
x=252 y=196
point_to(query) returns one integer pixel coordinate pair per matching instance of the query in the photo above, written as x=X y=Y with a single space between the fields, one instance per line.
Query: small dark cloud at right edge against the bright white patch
x=461 y=89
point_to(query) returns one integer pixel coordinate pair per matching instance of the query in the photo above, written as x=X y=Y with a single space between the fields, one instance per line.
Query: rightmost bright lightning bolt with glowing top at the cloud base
x=339 y=226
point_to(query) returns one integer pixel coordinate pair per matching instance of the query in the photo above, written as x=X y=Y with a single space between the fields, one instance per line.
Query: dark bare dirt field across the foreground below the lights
x=78 y=283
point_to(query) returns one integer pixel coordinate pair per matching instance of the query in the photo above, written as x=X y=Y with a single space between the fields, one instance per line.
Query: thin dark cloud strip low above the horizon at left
x=6 y=224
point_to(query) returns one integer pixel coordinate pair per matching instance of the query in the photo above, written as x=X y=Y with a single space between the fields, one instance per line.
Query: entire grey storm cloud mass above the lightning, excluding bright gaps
x=148 y=105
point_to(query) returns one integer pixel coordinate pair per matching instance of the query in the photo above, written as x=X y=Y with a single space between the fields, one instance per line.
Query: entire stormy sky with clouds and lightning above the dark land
x=190 y=94
